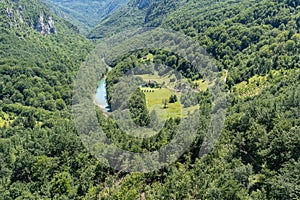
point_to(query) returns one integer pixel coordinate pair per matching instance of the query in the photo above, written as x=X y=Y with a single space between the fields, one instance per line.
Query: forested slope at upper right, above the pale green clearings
x=244 y=36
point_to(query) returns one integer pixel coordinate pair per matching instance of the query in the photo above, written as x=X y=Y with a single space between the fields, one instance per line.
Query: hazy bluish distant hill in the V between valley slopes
x=85 y=13
